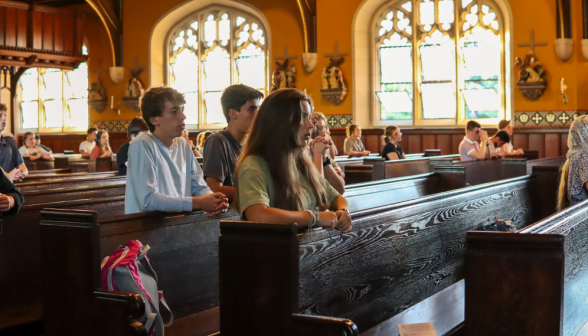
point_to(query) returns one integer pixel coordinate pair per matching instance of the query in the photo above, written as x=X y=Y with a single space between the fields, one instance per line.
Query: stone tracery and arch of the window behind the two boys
x=231 y=48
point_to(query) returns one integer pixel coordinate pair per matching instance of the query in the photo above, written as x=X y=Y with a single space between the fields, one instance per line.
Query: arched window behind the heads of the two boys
x=211 y=50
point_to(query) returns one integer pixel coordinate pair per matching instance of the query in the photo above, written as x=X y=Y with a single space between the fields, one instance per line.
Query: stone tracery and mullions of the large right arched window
x=416 y=39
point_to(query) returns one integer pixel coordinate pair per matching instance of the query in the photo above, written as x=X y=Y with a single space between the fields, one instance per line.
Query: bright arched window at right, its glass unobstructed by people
x=441 y=62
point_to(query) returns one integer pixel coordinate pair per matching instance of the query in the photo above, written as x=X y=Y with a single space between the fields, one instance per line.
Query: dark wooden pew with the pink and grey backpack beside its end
x=183 y=252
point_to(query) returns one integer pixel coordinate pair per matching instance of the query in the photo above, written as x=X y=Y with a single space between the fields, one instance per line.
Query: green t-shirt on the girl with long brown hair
x=257 y=187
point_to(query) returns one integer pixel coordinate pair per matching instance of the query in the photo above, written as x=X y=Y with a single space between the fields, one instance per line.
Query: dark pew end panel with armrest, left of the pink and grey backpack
x=71 y=305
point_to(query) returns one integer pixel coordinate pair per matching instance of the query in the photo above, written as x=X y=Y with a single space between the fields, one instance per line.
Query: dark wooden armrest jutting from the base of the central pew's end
x=310 y=325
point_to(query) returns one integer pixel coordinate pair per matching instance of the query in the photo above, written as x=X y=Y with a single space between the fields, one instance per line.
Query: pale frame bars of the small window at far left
x=66 y=127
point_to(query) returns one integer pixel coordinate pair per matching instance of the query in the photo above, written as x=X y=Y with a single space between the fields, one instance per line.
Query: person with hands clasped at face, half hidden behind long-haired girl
x=322 y=151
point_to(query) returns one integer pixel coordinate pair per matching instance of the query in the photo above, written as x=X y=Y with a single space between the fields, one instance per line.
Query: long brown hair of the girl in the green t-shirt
x=274 y=137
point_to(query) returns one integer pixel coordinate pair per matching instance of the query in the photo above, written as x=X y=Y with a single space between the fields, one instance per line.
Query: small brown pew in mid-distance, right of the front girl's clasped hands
x=379 y=169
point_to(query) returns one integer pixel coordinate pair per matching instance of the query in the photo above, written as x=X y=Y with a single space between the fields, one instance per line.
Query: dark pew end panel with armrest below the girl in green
x=263 y=257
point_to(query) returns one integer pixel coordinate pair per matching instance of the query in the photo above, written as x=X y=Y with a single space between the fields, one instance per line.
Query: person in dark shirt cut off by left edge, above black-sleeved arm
x=10 y=158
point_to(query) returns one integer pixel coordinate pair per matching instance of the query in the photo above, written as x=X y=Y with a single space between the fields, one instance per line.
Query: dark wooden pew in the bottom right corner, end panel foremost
x=534 y=282
